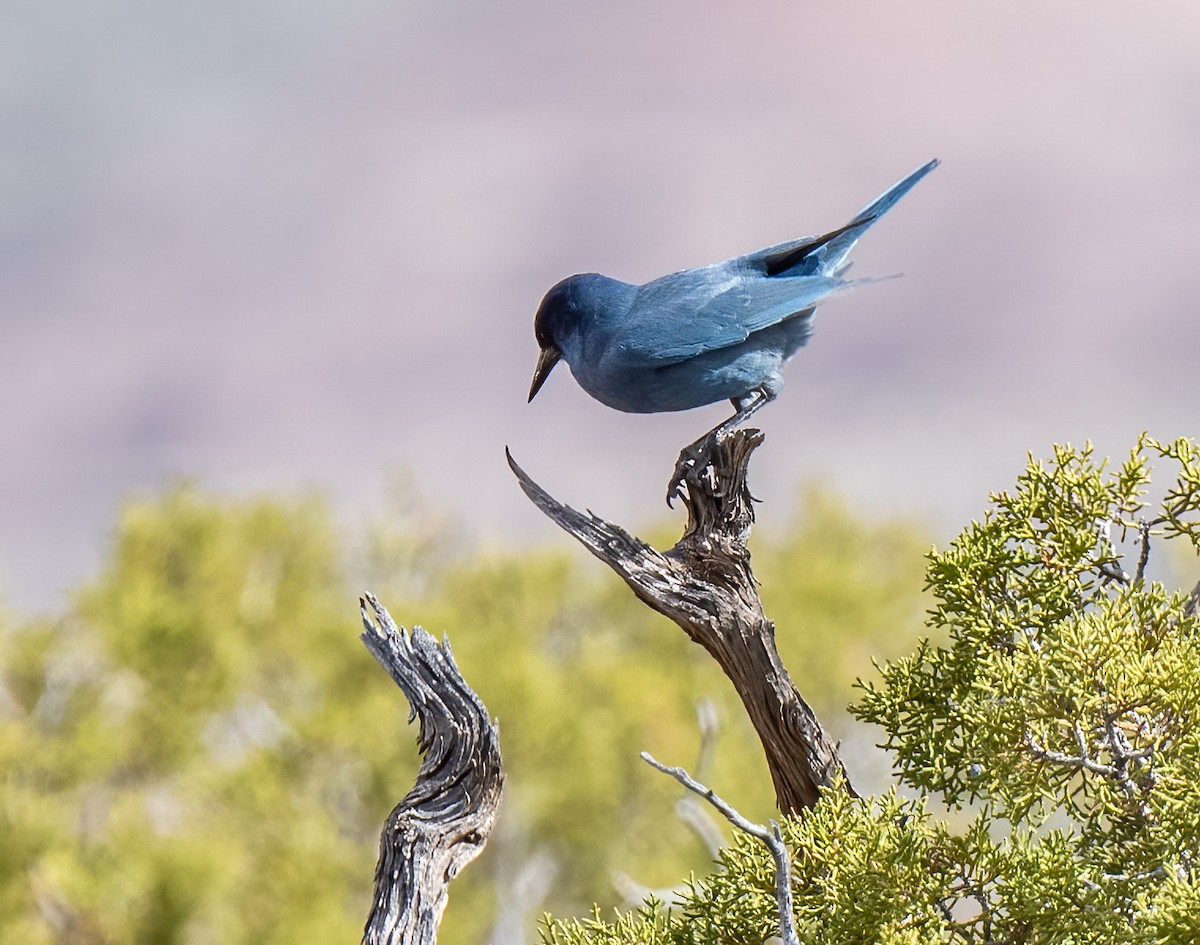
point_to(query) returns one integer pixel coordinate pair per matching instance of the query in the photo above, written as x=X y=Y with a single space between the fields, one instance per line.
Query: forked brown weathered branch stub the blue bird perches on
x=705 y=586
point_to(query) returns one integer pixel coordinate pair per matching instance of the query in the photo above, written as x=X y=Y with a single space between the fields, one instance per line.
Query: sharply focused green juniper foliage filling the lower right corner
x=1064 y=705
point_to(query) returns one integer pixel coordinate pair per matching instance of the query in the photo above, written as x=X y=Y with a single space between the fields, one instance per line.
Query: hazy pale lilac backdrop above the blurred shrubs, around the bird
x=278 y=245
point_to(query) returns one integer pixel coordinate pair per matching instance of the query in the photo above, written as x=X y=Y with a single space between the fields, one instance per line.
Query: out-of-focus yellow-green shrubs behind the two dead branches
x=200 y=749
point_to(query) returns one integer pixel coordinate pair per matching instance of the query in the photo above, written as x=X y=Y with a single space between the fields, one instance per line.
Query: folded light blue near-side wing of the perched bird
x=683 y=316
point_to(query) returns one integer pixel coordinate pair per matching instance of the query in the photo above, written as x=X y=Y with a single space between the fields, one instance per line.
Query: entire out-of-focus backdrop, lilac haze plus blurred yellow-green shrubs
x=295 y=250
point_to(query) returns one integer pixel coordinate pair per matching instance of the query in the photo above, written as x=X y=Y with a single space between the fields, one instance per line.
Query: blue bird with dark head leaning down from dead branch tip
x=704 y=335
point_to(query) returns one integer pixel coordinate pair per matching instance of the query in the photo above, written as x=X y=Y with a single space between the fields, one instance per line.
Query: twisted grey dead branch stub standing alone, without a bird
x=445 y=821
